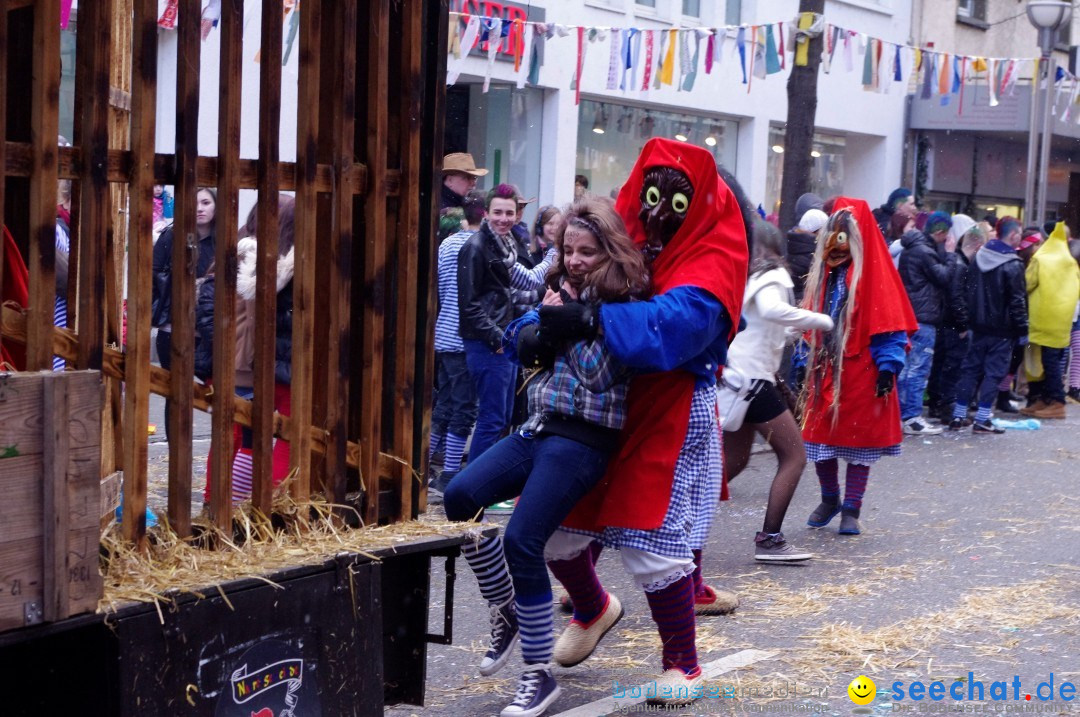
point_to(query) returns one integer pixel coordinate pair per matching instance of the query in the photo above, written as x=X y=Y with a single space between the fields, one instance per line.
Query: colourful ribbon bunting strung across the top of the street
x=677 y=60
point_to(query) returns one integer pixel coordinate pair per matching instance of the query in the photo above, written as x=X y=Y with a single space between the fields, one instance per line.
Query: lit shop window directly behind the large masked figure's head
x=611 y=138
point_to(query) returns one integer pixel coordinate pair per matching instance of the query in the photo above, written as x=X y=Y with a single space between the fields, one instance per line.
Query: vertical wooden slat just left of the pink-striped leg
x=225 y=261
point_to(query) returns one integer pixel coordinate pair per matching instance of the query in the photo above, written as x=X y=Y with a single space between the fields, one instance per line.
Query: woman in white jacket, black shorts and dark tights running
x=753 y=361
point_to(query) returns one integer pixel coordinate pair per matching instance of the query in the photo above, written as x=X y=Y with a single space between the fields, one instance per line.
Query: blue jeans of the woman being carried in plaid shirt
x=550 y=474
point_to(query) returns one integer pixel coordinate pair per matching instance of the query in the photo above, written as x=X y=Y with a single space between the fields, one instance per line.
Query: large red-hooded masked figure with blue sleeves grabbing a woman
x=661 y=488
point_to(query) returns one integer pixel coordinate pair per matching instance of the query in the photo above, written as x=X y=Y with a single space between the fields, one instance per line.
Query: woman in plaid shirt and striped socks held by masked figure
x=577 y=408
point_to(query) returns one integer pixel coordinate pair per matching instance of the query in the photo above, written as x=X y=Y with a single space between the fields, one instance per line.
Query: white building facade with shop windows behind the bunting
x=539 y=139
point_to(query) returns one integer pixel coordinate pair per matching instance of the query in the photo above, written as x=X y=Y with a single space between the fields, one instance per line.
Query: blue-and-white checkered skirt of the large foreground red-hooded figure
x=695 y=492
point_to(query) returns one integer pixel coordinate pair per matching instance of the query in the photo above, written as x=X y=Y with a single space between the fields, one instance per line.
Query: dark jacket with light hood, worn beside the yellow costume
x=997 y=294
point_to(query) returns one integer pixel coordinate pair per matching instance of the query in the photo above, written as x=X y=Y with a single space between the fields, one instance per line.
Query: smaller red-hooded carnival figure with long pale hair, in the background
x=850 y=409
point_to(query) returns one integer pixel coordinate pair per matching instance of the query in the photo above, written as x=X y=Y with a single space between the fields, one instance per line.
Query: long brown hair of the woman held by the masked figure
x=622 y=274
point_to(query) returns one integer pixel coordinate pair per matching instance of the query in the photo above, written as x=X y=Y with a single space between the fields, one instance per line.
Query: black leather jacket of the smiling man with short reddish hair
x=485 y=301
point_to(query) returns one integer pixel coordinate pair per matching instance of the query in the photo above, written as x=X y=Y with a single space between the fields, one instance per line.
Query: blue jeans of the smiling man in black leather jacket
x=493 y=375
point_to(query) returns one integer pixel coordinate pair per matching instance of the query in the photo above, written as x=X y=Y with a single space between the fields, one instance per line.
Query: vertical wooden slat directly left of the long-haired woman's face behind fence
x=184 y=260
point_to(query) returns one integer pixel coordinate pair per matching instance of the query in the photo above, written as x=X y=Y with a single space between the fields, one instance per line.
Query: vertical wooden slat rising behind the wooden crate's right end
x=96 y=31
